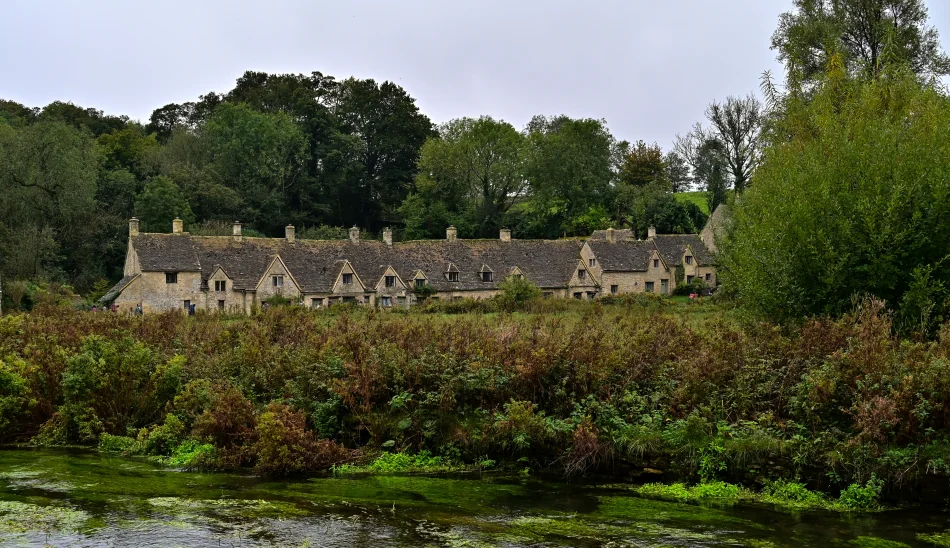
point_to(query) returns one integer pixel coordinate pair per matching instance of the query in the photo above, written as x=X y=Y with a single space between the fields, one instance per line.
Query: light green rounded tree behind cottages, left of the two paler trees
x=469 y=176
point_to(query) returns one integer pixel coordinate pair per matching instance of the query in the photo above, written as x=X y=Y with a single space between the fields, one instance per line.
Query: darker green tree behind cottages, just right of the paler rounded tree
x=569 y=171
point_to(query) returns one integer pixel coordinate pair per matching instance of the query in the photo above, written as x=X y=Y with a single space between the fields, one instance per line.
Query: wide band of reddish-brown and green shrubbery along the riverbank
x=597 y=388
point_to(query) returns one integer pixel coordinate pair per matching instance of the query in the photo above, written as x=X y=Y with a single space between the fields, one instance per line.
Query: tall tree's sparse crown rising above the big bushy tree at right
x=862 y=31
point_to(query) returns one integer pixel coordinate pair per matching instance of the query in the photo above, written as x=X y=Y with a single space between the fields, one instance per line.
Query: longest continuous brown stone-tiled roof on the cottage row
x=316 y=264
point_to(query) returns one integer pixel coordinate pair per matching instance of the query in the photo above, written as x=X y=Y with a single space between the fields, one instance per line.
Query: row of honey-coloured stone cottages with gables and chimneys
x=238 y=273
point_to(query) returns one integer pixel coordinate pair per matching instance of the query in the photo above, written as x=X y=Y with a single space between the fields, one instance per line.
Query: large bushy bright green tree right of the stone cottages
x=813 y=233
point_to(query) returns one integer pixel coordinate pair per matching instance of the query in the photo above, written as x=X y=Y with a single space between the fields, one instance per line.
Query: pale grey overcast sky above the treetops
x=649 y=68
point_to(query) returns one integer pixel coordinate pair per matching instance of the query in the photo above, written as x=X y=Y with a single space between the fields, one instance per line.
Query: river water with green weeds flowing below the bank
x=62 y=498
